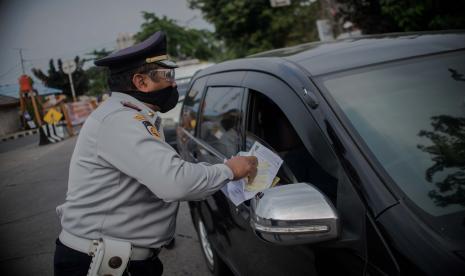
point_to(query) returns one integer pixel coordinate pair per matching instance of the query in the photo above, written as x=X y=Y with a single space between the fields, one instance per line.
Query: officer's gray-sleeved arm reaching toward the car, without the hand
x=126 y=144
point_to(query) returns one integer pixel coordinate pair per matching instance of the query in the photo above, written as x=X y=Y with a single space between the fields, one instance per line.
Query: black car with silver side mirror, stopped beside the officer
x=371 y=131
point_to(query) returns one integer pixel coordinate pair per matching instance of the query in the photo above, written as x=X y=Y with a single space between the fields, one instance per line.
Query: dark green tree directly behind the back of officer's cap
x=97 y=75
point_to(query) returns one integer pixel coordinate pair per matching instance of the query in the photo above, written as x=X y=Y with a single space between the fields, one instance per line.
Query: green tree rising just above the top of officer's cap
x=183 y=43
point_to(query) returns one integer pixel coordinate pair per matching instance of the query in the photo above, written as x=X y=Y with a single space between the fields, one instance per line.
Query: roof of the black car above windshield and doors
x=327 y=57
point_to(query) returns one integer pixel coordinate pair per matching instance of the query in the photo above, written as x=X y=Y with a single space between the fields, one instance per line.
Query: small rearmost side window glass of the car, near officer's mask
x=191 y=106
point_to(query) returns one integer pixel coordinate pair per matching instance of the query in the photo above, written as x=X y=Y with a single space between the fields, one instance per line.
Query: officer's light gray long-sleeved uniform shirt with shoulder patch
x=125 y=181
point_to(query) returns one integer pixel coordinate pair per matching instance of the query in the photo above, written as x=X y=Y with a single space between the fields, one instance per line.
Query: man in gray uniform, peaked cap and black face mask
x=125 y=181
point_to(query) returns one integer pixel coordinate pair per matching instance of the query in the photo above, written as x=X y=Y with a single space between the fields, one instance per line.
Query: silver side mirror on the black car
x=294 y=214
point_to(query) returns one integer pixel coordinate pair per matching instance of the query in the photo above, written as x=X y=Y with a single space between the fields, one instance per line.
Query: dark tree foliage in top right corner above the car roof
x=381 y=16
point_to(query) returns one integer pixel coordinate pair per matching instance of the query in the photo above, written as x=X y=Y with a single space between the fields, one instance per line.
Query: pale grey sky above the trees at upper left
x=47 y=29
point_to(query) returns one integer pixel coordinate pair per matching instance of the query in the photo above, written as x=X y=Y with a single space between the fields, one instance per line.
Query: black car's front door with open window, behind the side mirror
x=278 y=118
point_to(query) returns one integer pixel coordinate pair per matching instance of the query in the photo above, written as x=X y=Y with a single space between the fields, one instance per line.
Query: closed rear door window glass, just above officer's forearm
x=221 y=119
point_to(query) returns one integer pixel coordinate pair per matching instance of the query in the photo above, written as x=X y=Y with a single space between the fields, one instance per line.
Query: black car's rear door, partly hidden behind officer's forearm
x=219 y=136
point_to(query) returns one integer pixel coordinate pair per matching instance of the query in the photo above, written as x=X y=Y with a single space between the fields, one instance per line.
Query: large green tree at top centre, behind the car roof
x=249 y=27
